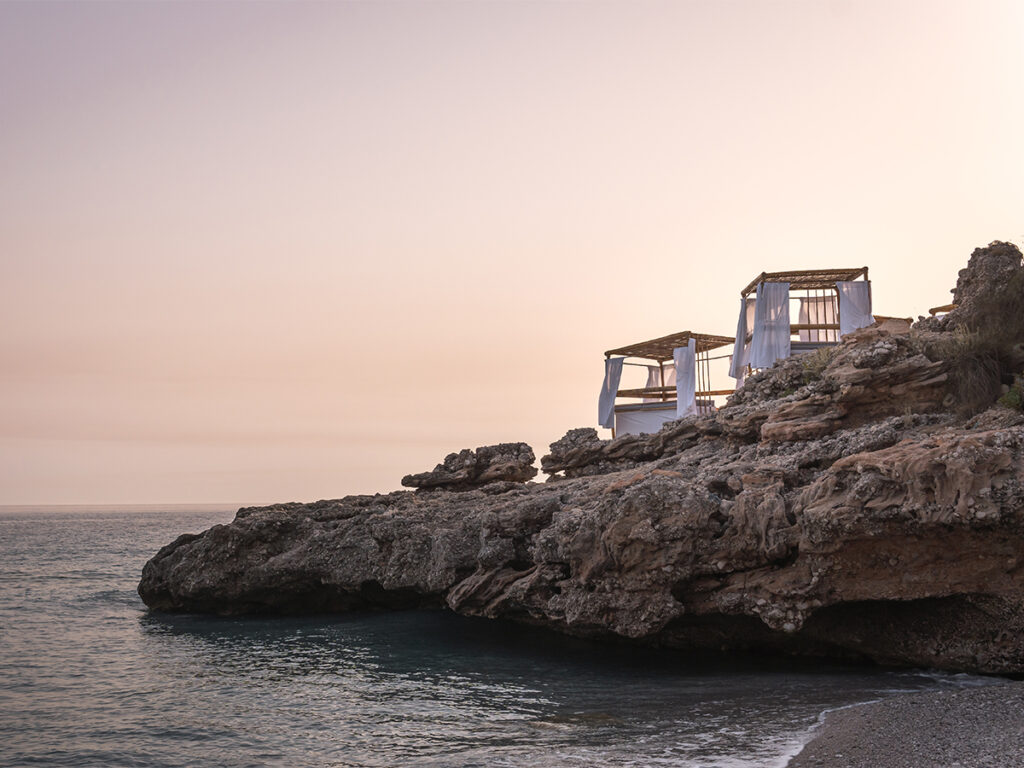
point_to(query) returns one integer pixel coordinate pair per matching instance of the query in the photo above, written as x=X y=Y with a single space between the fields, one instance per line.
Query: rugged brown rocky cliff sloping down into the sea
x=867 y=501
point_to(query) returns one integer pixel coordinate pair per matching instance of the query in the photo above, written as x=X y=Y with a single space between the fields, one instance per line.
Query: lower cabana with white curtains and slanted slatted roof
x=679 y=382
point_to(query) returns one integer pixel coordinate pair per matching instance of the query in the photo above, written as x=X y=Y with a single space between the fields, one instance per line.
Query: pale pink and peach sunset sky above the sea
x=276 y=251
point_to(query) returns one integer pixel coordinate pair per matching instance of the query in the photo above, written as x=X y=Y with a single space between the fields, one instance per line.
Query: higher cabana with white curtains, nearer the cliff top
x=831 y=304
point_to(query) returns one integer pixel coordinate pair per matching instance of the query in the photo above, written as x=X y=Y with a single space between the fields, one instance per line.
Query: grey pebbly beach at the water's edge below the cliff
x=966 y=729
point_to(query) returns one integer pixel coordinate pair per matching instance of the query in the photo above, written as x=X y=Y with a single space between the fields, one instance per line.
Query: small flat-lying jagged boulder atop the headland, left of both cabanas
x=507 y=462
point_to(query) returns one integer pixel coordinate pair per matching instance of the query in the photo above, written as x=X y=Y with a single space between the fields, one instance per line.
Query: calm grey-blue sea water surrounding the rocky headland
x=90 y=677
